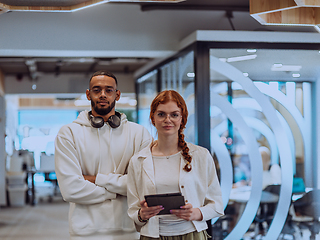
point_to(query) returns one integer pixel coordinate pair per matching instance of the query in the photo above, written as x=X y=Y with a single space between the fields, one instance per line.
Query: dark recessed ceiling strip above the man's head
x=34 y=66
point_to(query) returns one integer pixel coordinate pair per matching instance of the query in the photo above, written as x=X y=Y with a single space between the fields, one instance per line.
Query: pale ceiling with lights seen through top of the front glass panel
x=275 y=64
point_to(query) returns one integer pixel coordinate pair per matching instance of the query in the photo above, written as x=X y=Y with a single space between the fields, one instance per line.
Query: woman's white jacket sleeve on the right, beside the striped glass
x=213 y=205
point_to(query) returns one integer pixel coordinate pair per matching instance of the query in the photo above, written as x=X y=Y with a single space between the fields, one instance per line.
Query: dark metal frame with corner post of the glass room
x=201 y=51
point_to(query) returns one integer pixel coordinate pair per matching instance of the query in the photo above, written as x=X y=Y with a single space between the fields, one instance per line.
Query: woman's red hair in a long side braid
x=167 y=96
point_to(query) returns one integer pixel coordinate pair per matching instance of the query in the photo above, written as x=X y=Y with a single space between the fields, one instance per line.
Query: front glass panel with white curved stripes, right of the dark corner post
x=260 y=134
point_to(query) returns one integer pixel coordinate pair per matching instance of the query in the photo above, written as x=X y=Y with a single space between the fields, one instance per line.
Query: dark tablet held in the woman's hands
x=168 y=201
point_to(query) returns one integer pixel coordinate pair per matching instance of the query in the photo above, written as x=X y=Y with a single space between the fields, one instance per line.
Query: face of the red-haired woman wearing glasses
x=167 y=118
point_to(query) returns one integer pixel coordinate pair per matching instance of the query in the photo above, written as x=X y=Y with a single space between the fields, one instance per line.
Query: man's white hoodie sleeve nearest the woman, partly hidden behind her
x=117 y=183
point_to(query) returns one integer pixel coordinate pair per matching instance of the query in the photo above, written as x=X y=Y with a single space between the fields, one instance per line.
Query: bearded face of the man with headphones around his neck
x=103 y=94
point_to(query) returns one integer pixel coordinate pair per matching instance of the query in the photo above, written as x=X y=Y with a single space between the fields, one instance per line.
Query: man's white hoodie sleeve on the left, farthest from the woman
x=74 y=188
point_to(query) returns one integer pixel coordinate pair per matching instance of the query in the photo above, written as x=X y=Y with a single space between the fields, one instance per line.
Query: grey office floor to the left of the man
x=44 y=221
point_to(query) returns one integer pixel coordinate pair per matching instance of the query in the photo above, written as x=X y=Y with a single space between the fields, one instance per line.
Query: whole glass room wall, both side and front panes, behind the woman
x=259 y=104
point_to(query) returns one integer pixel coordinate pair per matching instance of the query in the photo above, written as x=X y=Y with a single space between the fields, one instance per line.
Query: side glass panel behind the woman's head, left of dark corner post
x=176 y=75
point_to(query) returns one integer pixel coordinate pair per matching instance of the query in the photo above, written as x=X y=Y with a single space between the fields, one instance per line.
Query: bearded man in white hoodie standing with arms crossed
x=91 y=159
